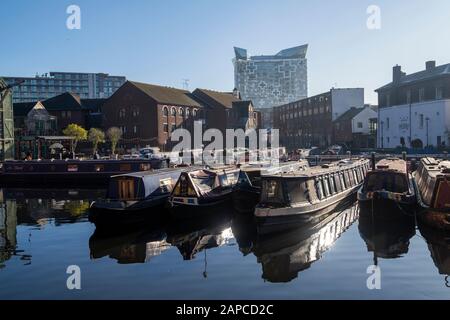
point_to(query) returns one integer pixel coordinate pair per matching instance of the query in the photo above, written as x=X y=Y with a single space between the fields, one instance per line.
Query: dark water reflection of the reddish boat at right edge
x=439 y=245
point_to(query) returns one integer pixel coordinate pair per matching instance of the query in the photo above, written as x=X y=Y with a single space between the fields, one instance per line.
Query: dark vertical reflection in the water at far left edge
x=8 y=223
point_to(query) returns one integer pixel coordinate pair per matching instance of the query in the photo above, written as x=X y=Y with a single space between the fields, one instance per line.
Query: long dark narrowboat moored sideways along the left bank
x=70 y=172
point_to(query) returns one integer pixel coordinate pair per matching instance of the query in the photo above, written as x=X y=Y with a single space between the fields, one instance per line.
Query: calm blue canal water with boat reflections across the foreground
x=42 y=232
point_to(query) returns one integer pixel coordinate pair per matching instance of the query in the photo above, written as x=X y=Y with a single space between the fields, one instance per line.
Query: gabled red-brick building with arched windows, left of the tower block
x=148 y=114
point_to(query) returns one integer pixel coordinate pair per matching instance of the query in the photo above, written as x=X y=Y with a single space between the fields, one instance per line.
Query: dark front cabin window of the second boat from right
x=386 y=181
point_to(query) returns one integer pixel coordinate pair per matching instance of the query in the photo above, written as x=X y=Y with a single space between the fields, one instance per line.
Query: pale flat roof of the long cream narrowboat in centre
x=320 y=170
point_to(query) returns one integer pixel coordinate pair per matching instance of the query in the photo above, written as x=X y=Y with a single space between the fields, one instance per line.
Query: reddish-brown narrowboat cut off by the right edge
x=432 y=180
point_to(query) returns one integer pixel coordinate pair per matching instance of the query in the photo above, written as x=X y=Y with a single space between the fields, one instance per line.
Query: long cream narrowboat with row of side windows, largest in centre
x=301 y=197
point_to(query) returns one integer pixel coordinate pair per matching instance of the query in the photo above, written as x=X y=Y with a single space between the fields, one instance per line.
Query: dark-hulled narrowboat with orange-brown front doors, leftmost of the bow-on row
x=131 y=197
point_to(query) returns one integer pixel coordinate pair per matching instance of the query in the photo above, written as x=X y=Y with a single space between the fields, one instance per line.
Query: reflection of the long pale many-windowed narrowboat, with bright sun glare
x=284 y=255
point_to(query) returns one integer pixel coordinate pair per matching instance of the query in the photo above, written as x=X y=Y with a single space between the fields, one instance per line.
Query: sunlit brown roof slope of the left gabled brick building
x=166 y=95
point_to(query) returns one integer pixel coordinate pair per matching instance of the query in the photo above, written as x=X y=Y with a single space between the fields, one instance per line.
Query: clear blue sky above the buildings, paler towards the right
x=165 y=41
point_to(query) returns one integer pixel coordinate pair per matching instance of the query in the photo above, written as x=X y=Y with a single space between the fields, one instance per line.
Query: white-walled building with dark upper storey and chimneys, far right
x=414 y=109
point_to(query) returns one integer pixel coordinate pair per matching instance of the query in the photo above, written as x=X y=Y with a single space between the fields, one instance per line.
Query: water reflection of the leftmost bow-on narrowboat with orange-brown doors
x=137 y=246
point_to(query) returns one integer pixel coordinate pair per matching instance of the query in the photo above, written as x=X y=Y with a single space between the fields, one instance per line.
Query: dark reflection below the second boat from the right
x=386 y=238
